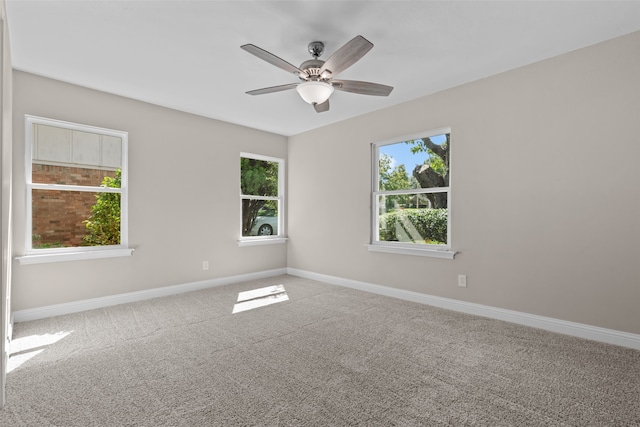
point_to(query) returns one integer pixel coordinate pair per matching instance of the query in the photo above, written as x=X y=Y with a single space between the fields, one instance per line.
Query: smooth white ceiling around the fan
x=186 y=54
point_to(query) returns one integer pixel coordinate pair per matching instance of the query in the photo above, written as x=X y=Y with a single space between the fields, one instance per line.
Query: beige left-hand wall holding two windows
x=183 y=196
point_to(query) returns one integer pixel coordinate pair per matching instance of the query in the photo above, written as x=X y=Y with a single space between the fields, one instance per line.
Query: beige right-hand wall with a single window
x=545 y=199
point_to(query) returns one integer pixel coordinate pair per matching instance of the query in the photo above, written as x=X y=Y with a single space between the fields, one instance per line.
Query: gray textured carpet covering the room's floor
x=328 y=356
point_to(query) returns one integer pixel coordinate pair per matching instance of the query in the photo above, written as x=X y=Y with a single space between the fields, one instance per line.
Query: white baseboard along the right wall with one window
x=595 y=333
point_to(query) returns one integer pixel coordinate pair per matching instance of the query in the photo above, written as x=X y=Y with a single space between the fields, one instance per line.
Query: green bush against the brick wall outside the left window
x=103 y=226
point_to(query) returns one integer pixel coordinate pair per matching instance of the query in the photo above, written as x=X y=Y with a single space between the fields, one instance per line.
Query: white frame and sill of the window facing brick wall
x=36 y=256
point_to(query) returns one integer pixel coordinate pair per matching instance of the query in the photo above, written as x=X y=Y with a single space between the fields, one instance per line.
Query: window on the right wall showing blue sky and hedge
x=411 y=195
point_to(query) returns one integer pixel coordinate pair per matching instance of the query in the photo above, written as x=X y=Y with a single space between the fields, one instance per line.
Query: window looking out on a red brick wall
x=76 y=179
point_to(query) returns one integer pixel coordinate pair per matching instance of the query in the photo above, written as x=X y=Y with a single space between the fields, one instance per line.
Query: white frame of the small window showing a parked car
x=264 y=240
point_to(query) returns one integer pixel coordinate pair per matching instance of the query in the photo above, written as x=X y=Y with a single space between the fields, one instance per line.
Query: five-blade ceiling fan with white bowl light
x=317 y=75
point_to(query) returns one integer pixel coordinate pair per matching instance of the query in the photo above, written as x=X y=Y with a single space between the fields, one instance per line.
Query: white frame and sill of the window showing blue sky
x=376 y=245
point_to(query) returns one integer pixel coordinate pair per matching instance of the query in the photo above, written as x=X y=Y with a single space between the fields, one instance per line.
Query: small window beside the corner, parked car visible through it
x=261 y=199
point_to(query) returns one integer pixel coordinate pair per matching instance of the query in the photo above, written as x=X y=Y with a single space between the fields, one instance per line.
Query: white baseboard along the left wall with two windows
x=93 y=303
